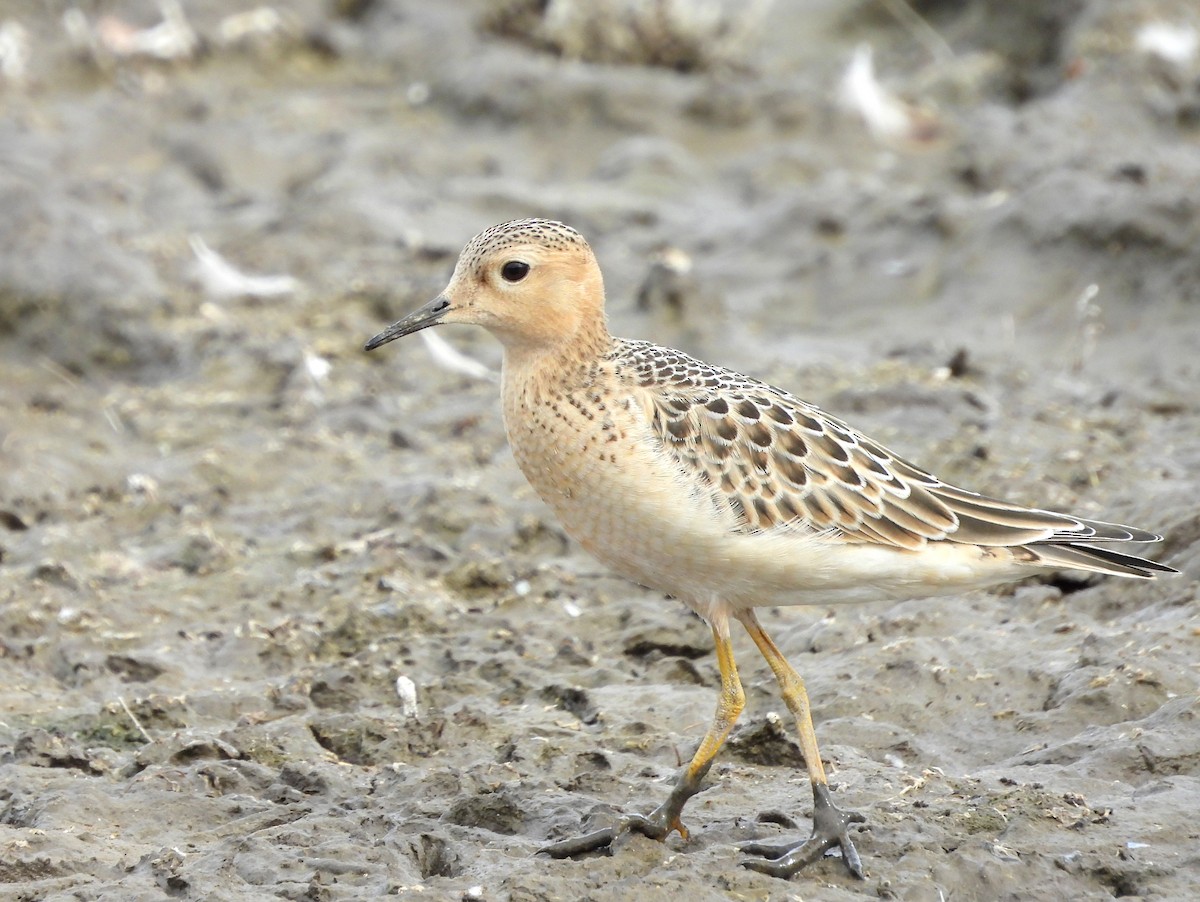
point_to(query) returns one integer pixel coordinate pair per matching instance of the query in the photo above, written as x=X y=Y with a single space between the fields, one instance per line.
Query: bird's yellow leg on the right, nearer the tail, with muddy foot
x=830 y=825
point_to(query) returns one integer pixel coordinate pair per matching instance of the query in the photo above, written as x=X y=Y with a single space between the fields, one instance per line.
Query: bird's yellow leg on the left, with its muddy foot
x=664 y=820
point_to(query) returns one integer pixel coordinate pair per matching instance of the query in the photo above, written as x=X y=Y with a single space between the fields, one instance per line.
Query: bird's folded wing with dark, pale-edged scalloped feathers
x=778 y=462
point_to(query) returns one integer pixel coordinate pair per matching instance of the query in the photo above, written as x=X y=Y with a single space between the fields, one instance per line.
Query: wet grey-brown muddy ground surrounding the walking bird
x=226 y=532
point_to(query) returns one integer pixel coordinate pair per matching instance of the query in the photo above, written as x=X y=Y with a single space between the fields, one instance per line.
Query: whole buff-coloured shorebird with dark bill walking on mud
x=727 y=494
